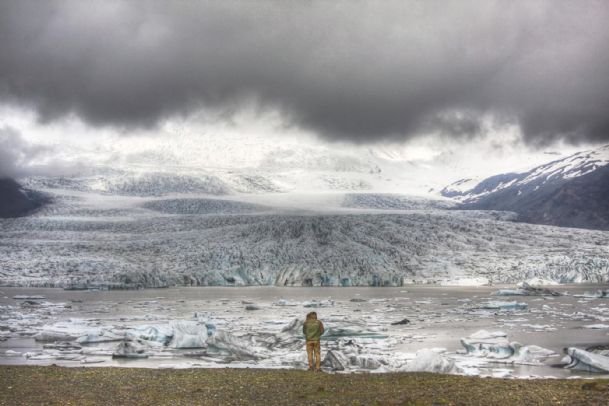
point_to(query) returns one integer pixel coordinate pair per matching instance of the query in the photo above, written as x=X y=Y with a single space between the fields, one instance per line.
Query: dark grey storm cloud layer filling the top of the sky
x=363 y=71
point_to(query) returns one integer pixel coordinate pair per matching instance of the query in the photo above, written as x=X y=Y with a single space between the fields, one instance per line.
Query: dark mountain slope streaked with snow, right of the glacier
x=572 y=192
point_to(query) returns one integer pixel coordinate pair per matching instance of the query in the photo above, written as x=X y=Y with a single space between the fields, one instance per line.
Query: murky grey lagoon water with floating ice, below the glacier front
x=359 y=320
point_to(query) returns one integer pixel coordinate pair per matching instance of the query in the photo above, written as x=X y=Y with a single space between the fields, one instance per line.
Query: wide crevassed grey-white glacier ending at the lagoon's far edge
x=85 y=240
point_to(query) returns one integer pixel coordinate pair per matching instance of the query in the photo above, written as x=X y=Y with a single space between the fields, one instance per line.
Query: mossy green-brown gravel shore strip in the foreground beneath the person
x=31 y=385
